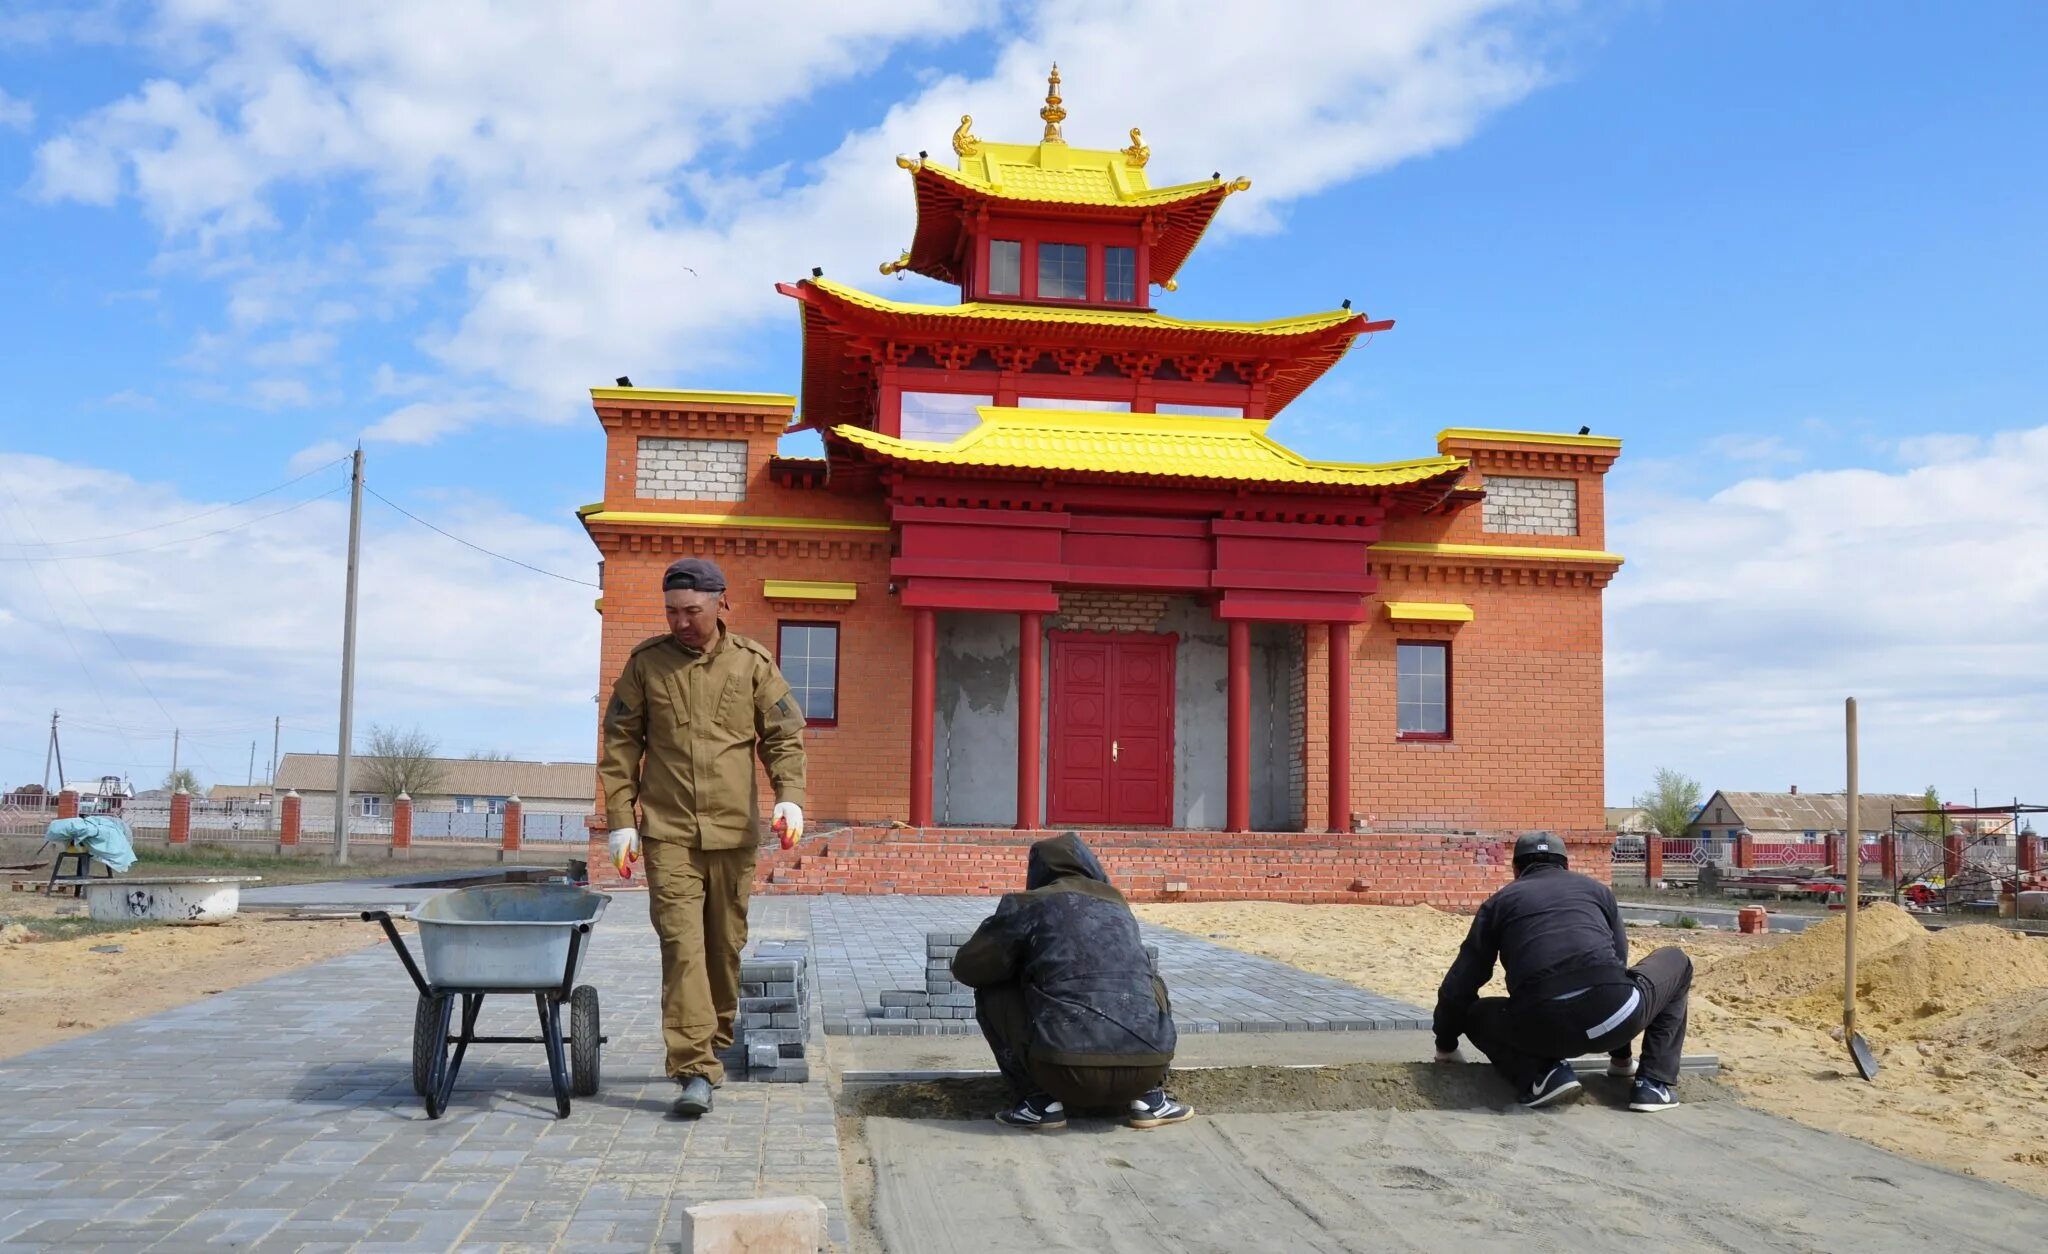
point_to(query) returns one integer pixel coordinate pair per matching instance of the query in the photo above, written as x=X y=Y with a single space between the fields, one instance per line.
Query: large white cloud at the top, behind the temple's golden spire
x=585 y=171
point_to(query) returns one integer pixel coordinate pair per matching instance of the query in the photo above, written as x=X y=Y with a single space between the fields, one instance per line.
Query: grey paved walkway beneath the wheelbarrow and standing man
x=282 y=1118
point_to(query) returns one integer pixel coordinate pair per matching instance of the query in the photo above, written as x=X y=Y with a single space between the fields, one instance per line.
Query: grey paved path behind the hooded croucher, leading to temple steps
x=869 y=946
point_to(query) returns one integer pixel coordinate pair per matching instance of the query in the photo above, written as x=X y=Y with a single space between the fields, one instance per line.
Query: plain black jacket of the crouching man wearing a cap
x=1551 y=929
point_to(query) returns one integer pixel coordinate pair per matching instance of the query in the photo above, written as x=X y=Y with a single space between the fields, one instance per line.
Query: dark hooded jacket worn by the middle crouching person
x=1074 y=946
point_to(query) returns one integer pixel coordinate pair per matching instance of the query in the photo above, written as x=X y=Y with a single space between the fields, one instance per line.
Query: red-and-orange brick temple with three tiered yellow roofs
x=1056 y=569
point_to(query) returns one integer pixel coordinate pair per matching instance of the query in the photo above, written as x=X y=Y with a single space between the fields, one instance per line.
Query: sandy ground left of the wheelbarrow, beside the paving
x=54 y=991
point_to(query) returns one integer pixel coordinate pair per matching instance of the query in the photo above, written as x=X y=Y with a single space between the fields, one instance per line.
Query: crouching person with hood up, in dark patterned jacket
x=1066 y=995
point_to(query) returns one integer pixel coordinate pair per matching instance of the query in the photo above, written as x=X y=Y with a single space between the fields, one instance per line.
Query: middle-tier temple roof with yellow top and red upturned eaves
x=843 y=323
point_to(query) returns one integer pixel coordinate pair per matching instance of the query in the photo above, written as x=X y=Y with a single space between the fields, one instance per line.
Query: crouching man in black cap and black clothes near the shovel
x=1570 y=987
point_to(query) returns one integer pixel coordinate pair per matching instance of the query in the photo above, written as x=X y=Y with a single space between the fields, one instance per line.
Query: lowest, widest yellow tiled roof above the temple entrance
x=1152 y=446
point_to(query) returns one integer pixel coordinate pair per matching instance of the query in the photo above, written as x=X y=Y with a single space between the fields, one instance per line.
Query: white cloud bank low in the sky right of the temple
x=1742 y=622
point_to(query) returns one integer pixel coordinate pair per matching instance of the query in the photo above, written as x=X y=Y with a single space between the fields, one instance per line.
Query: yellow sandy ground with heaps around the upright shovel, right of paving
x=1959 y=1017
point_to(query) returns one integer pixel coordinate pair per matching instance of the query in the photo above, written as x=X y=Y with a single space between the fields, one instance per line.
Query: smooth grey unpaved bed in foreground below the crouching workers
x=1584 y=1179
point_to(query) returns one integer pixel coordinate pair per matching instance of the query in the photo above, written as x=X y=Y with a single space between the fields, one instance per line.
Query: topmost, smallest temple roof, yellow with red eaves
x=1052 y=177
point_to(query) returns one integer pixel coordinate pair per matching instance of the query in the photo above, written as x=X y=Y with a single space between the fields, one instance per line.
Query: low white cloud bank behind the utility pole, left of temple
x=234 y=630
